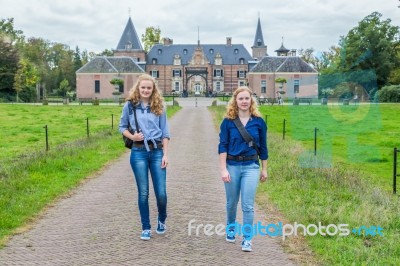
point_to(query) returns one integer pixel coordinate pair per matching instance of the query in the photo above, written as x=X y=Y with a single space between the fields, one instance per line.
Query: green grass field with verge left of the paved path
x=30 y=177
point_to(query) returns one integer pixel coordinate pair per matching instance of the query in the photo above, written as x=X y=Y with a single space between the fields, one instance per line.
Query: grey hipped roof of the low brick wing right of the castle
x=289 y=64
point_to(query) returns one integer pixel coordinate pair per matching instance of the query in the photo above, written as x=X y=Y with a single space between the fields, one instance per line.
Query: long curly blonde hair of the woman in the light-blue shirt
x=156 y=100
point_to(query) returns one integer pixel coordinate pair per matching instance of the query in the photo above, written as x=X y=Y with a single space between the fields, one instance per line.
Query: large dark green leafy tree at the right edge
x=372 y=46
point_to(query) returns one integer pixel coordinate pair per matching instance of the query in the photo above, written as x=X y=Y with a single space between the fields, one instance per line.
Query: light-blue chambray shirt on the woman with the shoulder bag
x=154 y=127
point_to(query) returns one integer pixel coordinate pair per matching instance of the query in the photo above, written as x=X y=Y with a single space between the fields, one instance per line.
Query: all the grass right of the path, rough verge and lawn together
x=348 y=182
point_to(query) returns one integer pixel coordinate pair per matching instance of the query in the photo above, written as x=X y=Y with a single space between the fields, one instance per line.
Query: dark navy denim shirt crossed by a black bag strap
x=232 y=142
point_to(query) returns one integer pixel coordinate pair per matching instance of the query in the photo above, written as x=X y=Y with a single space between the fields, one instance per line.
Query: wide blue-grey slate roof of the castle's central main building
x=231 y=54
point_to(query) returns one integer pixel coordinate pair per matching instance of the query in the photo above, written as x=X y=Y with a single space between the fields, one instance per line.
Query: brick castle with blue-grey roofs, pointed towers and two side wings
x=197 y=69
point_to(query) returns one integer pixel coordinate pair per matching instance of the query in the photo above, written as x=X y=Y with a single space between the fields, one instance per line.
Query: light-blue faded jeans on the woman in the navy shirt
x=244 y=181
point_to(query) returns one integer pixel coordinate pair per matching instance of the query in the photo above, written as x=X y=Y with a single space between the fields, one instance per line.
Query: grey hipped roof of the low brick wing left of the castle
x=111 y=64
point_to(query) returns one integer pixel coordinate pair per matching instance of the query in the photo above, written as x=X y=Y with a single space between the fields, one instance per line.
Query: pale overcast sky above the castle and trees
x=95 y=25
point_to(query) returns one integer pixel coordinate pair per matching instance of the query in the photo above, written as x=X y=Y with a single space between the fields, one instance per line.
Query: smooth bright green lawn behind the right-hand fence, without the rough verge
x=361 y=137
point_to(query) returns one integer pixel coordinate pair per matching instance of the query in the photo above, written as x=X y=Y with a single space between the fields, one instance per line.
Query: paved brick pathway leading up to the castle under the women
x=99 y=224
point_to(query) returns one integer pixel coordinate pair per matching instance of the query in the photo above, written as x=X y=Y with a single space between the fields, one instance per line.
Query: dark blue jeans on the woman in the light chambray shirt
x=141 y=162
